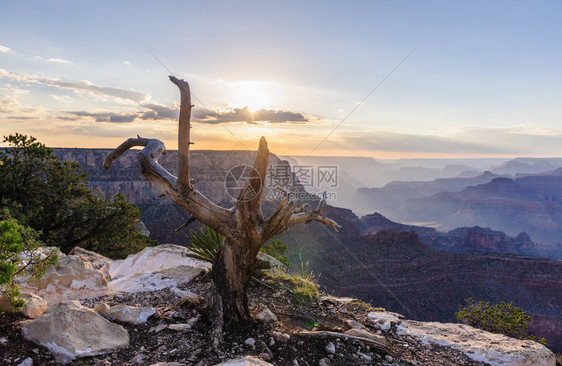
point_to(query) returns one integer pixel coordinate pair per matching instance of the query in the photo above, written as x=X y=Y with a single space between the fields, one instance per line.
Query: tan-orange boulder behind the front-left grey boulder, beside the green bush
x=71 y=279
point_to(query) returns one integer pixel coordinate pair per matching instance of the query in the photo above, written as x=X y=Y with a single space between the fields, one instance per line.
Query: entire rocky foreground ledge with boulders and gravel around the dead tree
x=149 y=309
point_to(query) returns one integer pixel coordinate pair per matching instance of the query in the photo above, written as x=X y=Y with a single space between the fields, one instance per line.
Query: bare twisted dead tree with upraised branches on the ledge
x=244 y=227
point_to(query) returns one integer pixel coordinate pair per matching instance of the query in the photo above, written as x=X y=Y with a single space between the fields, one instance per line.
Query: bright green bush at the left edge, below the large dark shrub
x=19 y=257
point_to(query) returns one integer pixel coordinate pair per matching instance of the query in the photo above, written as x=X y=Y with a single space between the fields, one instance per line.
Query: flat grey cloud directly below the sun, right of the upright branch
x=246 y=115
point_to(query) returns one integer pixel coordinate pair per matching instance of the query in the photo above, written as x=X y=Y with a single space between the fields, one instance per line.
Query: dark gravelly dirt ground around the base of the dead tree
x=149 y=345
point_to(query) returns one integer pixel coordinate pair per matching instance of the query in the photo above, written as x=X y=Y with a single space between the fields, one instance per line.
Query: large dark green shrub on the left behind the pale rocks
x=53 y=198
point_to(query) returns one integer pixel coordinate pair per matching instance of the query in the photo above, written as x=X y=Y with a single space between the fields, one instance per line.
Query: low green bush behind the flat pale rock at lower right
x=503 y=318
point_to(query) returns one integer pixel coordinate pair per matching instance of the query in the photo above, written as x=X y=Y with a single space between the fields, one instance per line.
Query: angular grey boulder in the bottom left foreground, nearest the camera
x=70 y=330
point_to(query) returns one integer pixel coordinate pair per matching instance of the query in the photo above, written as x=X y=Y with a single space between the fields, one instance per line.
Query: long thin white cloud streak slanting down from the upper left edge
x=79 y=87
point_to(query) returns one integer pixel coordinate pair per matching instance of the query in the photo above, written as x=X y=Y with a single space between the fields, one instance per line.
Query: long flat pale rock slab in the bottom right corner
x=479 y=345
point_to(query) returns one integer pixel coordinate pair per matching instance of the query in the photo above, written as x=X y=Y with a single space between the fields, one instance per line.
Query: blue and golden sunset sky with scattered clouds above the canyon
x=459 y=79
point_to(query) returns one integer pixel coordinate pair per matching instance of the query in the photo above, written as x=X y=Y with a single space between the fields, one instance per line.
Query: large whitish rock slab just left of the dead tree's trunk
x=152 y=259
